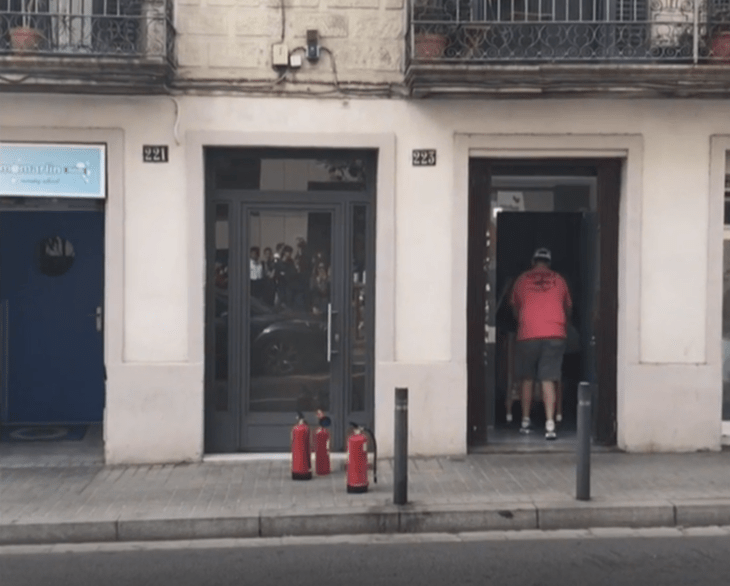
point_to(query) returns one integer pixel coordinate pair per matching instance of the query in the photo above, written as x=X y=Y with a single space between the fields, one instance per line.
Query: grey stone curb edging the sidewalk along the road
x=410 y=518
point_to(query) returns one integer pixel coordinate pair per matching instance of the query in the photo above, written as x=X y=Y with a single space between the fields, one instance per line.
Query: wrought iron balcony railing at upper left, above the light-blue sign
x=140 y=29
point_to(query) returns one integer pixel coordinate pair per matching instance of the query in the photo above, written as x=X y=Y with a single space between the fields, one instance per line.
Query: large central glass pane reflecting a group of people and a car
x=290 y=325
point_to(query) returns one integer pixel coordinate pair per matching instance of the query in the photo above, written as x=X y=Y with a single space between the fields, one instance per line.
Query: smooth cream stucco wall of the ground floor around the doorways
x=669 y=368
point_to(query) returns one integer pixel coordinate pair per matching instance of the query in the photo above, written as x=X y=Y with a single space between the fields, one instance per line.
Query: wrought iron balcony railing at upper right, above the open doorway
x=493 y=31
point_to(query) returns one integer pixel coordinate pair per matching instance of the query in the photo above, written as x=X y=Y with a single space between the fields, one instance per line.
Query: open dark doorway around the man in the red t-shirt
x=515 y=208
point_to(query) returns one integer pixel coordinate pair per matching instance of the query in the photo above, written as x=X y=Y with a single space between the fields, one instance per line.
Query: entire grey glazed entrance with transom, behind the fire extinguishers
x=290 y=294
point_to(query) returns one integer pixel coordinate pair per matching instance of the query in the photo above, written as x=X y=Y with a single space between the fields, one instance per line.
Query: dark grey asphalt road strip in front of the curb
x=616 y=561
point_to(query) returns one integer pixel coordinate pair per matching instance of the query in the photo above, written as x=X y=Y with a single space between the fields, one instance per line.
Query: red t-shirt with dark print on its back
x=540 y=296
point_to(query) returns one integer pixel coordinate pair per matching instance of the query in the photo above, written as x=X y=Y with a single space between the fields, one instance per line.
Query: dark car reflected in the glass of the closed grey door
x=283 y=342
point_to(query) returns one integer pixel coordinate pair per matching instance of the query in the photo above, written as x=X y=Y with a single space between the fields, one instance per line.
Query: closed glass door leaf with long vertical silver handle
x=292 y=333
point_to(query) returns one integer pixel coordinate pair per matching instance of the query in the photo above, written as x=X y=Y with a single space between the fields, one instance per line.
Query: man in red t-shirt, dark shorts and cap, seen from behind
x=541 y=303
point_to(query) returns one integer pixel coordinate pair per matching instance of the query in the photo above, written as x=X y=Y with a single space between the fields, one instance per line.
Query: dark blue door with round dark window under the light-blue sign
x=51 y=290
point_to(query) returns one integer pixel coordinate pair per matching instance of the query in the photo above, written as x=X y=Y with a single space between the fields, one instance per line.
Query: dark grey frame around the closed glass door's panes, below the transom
x=225 y=428
